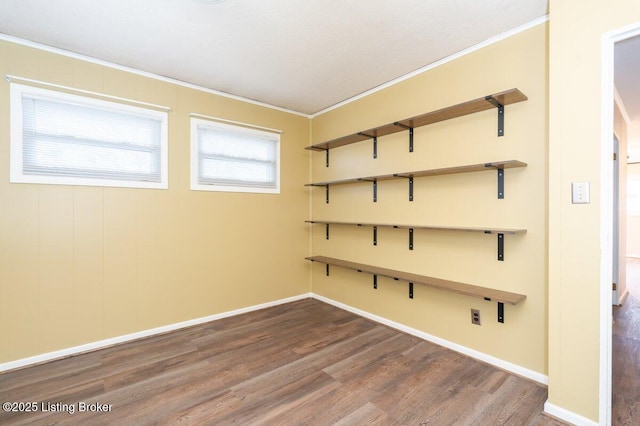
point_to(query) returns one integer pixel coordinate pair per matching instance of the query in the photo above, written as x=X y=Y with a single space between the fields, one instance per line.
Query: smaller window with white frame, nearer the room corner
x=234 y=158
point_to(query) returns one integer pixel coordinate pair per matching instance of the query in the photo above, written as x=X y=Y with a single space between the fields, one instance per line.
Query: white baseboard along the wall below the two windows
x=63 y=353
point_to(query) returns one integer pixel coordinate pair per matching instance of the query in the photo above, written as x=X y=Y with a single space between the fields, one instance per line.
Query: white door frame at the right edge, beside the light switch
x=606 y=213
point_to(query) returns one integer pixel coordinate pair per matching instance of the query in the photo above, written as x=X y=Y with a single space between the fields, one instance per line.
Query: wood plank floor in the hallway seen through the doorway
x=626 y=353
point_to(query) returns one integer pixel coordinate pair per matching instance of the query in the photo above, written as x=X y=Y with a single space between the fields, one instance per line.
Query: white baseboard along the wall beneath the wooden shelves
x=497 y=362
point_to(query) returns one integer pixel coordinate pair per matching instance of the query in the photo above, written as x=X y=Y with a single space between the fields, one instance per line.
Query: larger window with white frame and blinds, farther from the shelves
x=59 y=138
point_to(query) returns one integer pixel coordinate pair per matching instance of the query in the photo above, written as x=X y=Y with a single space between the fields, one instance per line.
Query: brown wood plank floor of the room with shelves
x=302 y=363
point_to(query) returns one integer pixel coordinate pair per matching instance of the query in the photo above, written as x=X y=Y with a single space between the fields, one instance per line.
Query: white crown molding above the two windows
x=112 y=65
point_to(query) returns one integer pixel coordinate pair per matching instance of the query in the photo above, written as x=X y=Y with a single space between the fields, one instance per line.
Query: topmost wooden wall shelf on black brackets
x=496 y=100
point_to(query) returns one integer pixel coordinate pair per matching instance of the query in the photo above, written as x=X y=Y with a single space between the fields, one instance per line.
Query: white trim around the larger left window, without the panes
x=16 y=152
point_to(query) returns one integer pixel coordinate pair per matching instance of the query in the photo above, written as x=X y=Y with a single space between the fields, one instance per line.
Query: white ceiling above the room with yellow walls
x=301 y=55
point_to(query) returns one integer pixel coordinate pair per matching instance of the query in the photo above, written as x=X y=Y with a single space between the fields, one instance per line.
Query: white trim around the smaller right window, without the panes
x=196 y=120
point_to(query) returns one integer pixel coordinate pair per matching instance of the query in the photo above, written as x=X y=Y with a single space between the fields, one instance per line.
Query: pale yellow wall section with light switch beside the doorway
x=575 y=37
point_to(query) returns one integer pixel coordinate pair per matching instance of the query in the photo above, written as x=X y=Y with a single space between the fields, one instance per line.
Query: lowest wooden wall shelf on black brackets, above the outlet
x=485 y=293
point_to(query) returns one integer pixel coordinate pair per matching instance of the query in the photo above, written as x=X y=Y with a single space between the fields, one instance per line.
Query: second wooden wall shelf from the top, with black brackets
x=497 y=165
